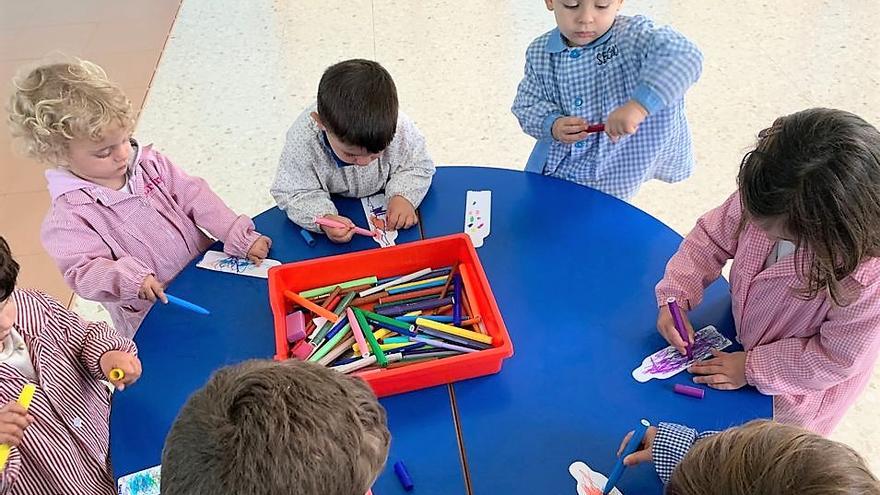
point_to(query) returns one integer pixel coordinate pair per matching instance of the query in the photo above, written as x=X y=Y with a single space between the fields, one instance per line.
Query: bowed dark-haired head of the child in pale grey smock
x=357 y=106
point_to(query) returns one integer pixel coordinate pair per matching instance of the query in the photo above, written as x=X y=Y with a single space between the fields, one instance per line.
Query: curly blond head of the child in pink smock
x=71 y=114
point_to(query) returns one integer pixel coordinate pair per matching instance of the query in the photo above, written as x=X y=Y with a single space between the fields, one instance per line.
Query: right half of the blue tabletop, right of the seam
x=573 y=271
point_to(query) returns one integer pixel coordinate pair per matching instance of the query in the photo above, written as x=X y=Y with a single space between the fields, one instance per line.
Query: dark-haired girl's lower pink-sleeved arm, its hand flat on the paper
x=847 y=344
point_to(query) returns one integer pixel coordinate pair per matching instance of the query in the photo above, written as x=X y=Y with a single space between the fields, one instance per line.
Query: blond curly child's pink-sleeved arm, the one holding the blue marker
x=87 y=263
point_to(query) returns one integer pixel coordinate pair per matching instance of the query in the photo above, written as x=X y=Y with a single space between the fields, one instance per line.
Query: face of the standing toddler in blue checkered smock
x=584 y=21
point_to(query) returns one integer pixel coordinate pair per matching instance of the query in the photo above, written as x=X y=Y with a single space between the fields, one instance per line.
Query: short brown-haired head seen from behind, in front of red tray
x=276 y=428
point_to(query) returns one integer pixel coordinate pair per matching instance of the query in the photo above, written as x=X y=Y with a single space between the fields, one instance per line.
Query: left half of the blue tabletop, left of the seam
x=180 y=349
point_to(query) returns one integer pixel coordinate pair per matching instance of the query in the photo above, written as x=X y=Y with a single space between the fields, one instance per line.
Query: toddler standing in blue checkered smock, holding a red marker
x=626 y=72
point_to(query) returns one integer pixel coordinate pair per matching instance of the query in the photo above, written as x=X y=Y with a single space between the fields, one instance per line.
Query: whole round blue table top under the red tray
x=573 y=272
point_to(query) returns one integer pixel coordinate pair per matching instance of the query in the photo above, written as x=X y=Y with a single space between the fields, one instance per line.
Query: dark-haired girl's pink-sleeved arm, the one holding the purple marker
x=702 y=255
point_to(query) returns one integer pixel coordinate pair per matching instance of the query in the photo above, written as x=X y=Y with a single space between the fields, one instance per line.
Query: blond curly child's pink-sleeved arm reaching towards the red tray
x=206 y=209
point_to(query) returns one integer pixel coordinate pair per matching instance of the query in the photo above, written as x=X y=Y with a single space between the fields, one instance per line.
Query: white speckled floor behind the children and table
x=234 y=75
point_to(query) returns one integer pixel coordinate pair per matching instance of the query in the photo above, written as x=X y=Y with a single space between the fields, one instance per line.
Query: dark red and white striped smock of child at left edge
x=65 y=450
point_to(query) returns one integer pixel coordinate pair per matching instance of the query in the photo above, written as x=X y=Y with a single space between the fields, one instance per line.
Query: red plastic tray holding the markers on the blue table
x=388 y=262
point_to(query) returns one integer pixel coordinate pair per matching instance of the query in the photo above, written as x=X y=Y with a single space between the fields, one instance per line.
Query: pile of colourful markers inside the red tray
x=372 y=323
